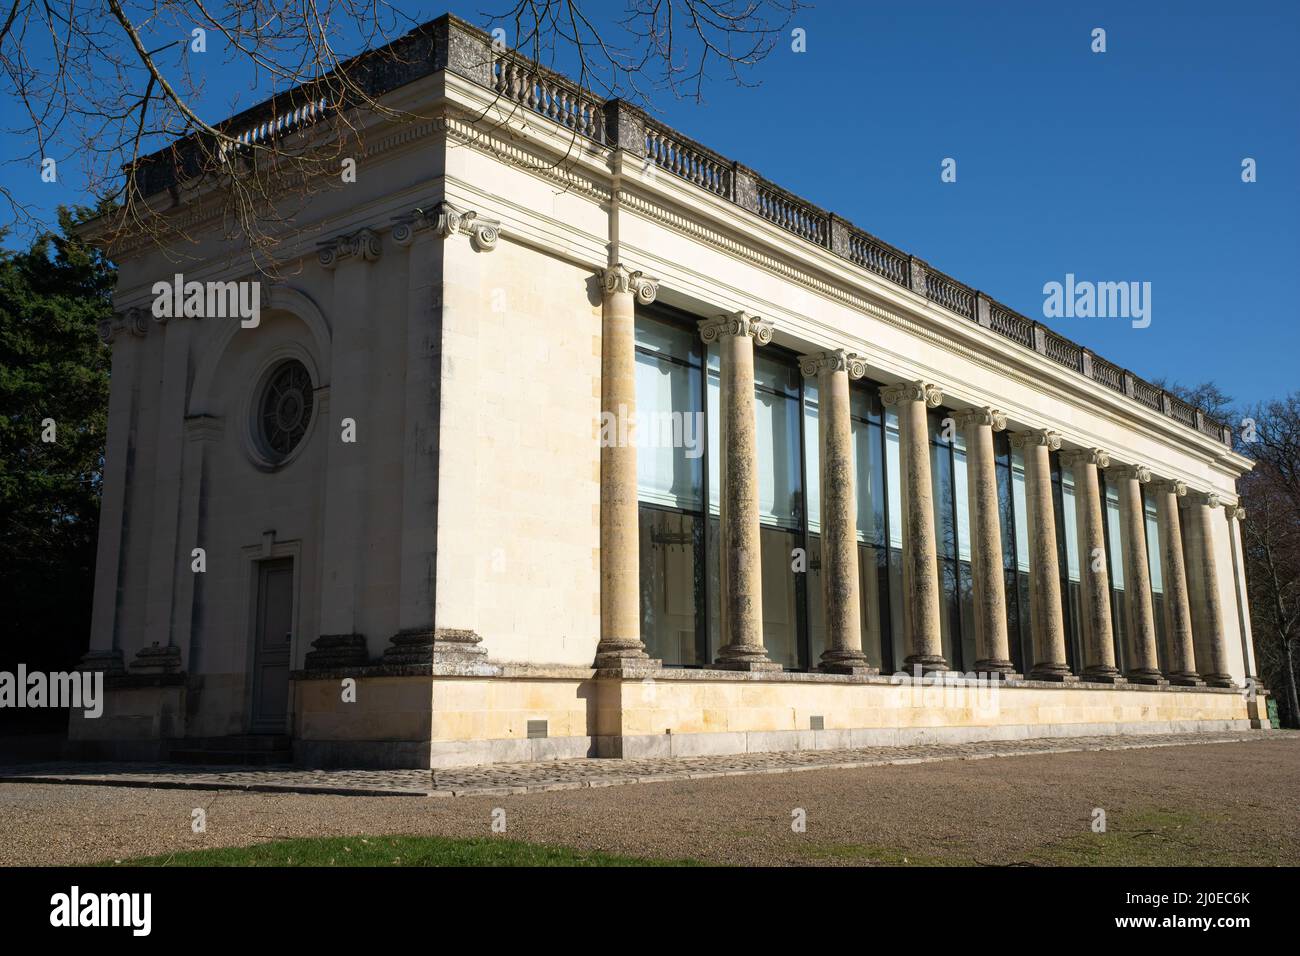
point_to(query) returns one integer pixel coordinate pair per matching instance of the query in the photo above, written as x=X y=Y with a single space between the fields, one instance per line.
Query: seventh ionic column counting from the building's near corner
x=1099 y=637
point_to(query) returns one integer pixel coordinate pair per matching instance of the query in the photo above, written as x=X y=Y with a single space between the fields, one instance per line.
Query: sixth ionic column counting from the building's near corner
x=1047 y=620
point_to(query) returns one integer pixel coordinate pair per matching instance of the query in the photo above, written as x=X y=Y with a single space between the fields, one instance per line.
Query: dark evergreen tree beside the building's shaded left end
x=54 y=384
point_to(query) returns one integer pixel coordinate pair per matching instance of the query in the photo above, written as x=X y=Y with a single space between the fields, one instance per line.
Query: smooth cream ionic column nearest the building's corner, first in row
x=621 y=583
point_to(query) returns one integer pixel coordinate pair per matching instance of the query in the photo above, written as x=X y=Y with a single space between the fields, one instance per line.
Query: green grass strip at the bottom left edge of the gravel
x=396 y=851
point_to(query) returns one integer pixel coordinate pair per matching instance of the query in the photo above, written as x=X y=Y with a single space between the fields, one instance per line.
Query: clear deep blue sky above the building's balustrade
x=1115 y=167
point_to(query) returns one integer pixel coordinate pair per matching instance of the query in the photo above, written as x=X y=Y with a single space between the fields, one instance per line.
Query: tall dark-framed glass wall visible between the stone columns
x=679 y=503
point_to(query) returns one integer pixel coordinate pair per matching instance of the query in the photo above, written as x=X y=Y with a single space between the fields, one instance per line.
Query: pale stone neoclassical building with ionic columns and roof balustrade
x=648 y=457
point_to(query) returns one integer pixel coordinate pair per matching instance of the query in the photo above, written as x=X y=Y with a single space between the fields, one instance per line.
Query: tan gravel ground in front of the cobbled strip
x=1236 y=801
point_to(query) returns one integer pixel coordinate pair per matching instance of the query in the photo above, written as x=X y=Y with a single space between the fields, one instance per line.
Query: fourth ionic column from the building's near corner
x=921 y=599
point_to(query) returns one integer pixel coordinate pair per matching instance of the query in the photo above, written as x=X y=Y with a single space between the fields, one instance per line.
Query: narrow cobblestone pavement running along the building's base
x=501 y=780
